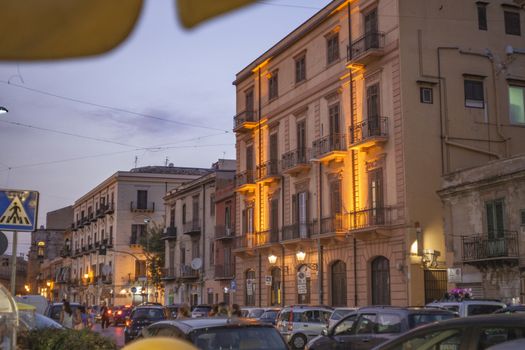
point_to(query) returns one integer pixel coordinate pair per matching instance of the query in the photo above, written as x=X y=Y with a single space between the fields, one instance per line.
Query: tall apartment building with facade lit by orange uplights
x=344 y=130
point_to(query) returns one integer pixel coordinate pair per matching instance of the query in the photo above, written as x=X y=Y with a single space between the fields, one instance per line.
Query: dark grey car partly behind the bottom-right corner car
x=370 y=326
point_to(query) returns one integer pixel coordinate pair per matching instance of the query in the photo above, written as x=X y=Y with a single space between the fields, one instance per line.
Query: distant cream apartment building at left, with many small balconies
x=107 y=260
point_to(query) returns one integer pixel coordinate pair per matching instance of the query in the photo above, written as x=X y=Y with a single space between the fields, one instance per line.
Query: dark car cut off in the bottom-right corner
x=467 y=333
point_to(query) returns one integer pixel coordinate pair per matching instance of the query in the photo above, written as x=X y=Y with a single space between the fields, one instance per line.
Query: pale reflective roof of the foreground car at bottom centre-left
x=190 y=324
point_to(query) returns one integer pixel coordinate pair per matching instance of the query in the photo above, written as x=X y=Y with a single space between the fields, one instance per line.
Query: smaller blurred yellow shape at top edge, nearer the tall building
x=192 y=12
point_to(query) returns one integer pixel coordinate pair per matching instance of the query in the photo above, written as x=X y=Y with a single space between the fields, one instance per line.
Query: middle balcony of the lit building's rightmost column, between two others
x=368 y=133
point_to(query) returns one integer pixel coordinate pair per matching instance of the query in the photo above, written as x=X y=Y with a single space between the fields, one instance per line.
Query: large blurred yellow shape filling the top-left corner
x=55 y=29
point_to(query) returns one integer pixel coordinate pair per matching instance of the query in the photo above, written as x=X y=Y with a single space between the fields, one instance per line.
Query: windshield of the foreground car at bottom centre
x=245 y=338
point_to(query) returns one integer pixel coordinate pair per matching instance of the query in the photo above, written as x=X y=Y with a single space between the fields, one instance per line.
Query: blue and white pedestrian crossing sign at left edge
x=18 y=210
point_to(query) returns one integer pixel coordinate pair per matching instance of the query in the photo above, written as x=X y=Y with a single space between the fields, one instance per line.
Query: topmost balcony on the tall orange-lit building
x=366 y=49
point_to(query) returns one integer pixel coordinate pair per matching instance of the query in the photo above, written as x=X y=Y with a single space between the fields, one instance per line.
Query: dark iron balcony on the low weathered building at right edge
x=483 y=251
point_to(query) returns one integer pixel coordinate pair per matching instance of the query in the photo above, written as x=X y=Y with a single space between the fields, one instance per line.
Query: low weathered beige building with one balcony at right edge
x=485 y=228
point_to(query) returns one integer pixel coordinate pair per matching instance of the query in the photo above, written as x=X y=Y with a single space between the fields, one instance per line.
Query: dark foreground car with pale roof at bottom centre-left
x=220 y=333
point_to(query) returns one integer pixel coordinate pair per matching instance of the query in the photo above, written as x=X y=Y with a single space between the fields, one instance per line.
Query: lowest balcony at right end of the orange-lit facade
x=370 y=222
